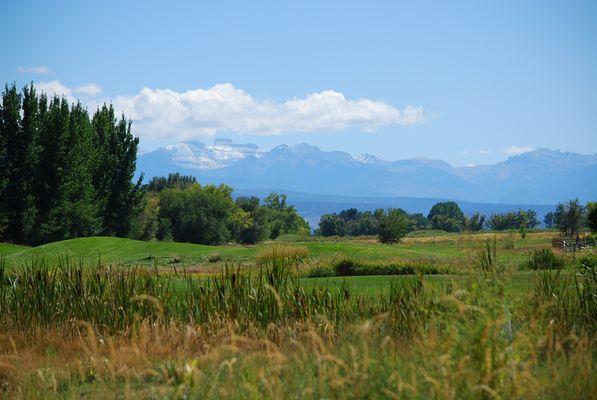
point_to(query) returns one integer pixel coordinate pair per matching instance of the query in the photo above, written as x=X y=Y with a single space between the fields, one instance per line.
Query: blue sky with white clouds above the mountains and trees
x=467 y=82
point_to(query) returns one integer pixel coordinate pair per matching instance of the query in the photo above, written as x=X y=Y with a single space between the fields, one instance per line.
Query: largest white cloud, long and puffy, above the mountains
x=160 y=113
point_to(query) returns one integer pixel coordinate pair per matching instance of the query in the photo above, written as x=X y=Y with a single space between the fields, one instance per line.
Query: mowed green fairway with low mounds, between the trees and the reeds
x=433 y=249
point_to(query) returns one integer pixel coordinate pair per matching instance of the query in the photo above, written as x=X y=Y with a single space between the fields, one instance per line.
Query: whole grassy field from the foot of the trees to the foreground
x=471 y=316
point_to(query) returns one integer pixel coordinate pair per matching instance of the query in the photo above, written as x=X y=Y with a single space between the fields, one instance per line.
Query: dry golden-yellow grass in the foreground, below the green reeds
x=302 y=360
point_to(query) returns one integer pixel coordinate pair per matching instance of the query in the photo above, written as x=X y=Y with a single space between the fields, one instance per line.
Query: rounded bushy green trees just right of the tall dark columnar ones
x=178 y=208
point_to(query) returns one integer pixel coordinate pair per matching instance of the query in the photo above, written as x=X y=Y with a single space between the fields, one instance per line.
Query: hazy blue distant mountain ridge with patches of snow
x=542 y=176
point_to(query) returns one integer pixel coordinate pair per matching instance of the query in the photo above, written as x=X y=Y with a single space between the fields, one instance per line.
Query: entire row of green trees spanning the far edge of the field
x=65 y=173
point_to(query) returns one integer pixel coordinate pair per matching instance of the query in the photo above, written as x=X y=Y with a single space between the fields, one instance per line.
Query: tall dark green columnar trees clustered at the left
x=64 y=173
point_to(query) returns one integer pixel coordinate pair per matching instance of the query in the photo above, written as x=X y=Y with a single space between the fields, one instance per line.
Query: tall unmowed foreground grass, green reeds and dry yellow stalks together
x=112 y=332
